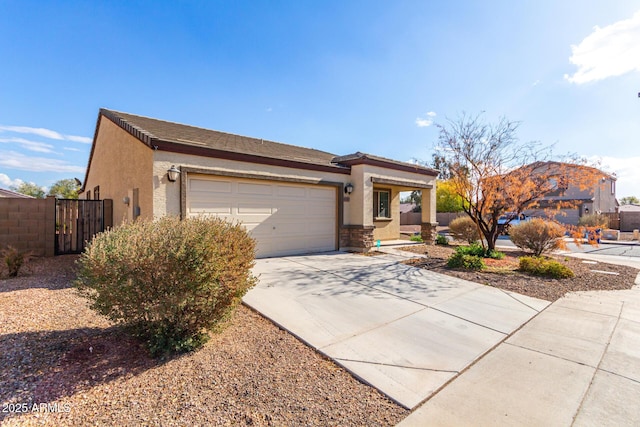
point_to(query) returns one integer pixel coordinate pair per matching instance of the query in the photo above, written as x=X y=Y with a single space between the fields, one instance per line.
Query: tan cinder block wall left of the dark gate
x=28 y=225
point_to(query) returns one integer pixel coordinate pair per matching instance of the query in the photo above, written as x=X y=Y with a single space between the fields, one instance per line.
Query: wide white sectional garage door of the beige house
x=285 y=219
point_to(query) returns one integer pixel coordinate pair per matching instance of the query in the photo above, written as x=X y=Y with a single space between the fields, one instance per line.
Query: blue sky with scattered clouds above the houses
x=340 y=76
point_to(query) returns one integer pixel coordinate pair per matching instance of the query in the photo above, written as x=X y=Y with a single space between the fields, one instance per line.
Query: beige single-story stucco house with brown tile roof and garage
x=292 y=199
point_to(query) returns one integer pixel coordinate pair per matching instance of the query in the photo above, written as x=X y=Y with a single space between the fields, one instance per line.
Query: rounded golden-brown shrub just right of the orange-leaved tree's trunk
x=538 y=236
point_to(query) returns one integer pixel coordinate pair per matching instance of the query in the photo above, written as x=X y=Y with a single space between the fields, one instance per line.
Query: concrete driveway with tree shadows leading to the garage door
x=404 y=330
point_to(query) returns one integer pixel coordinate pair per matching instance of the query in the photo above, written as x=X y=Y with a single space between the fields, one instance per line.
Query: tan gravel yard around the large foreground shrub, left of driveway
x=54 y=350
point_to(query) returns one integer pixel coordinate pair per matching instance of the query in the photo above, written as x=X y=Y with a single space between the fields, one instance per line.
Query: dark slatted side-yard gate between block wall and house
x=77 y=221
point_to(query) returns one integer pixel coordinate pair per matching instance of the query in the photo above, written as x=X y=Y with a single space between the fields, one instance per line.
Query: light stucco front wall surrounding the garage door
x=166 y=195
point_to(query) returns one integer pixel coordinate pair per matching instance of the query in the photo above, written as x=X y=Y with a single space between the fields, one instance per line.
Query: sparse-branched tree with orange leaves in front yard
x=494 y=173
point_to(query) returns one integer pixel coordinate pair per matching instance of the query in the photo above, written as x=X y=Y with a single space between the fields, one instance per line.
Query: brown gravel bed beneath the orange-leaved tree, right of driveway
x=589 y=276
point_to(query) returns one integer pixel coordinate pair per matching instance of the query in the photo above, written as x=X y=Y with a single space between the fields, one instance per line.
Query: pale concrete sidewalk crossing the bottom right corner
x=576 y=363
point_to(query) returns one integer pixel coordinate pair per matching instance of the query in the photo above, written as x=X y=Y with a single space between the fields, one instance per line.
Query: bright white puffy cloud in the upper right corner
x=607 y=52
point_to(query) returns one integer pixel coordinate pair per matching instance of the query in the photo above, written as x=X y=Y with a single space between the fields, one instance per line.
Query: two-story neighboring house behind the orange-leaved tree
x=577 y=190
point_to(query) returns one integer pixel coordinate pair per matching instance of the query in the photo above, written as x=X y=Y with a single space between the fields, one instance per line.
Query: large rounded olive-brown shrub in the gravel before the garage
x=168 y=281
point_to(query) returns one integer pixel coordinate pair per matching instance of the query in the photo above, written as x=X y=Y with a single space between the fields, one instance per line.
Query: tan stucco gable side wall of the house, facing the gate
x=121 y=164
